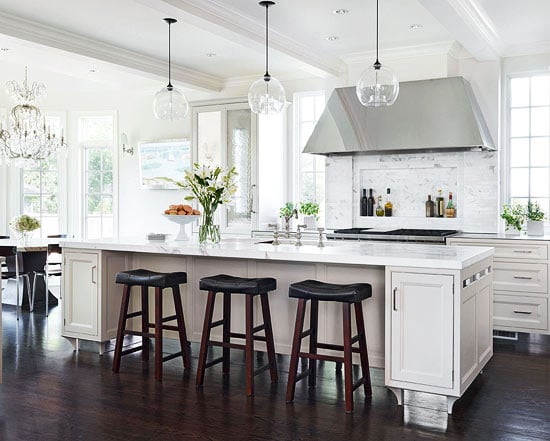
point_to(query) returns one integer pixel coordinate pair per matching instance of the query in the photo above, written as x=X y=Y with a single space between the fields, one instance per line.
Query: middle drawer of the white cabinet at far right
x=523 y=277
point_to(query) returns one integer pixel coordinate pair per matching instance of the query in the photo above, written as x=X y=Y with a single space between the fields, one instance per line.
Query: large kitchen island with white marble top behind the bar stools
x=428 y=322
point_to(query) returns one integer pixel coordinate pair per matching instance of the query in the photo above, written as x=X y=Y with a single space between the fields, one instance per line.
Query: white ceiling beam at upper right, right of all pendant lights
x=469 y=24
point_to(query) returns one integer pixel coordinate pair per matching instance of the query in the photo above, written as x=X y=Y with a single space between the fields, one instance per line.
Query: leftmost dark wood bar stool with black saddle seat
x=159 y=281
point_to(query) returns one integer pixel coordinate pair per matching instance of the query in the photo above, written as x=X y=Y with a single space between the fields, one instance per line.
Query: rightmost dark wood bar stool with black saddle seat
x=347 y=295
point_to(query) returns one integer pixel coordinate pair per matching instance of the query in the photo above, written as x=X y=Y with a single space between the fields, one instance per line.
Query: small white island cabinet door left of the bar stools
x=80 y=283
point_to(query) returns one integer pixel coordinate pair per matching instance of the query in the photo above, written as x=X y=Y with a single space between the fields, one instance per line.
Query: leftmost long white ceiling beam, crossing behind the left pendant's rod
x=32 y=31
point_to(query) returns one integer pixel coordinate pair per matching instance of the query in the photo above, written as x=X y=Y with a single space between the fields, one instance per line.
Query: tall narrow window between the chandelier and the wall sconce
x=96 y=140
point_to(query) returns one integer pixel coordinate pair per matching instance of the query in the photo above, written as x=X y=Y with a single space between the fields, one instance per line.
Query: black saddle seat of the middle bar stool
x=237 y=285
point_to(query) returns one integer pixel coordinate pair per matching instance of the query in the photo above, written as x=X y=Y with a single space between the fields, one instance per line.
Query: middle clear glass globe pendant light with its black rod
x=266 y=95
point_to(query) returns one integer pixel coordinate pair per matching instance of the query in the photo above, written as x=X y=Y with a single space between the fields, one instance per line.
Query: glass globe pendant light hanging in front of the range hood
x=378 y=85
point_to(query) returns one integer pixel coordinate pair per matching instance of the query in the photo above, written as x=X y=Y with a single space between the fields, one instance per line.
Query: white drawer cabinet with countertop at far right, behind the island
x=521 y=300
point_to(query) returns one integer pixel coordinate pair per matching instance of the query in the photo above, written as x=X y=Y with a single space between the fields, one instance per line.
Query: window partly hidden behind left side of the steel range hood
x=310 y=175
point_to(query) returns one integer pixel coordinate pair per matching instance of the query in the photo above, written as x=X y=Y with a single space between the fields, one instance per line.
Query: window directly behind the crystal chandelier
x=40 y=188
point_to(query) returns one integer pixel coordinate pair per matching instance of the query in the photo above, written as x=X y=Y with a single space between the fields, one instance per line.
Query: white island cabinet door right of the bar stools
x=422 y=329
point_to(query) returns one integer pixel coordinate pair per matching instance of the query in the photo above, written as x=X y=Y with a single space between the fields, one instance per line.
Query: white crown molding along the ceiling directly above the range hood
x=443 y=48
